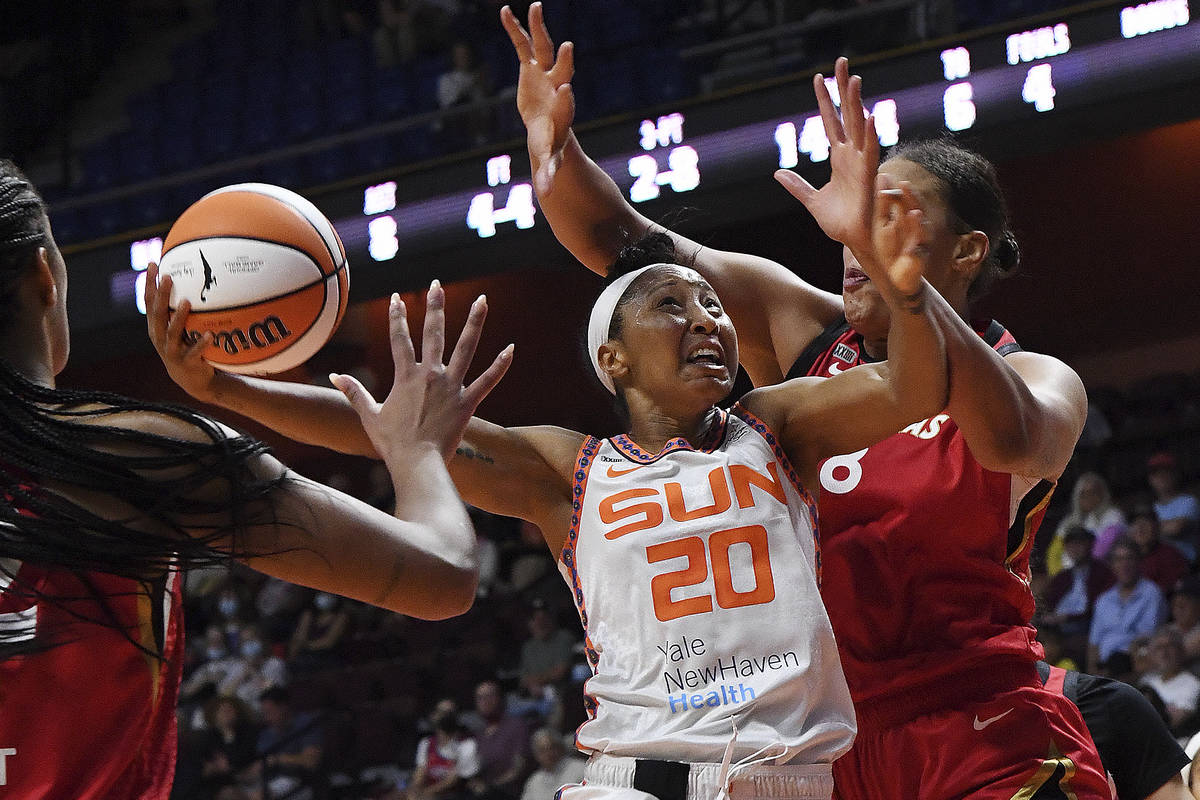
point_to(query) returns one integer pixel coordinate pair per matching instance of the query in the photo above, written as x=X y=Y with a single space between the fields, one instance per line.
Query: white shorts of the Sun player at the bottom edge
x=611 y=778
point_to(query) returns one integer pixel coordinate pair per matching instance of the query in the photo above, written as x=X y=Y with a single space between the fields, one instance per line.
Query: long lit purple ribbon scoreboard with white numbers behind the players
x=1093 y=58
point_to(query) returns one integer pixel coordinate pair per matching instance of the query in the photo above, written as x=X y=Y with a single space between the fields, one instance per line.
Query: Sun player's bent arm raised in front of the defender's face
x=819 y=418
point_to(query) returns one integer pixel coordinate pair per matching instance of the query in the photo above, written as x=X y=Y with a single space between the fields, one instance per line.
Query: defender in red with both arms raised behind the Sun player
x=926 y=536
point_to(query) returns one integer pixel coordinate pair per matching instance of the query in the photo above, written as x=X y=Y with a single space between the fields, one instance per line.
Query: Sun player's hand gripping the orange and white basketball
x=184 y=360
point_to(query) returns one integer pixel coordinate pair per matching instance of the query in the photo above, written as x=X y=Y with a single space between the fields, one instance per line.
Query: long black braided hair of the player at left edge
x=187 y=498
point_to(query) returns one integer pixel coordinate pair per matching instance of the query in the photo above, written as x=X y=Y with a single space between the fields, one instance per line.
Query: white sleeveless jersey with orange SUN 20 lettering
x=695 y=573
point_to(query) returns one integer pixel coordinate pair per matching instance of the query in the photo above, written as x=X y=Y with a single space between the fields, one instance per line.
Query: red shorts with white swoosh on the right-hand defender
x=1022 y=744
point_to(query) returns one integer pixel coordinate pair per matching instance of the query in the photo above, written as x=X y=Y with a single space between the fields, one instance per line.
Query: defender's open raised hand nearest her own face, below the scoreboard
x=843 y=207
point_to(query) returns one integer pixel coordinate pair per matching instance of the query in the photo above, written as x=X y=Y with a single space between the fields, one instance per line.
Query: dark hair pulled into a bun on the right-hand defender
x=976 y=202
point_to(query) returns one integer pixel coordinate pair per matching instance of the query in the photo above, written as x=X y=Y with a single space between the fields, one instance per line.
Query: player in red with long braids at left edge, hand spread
x=107 y=500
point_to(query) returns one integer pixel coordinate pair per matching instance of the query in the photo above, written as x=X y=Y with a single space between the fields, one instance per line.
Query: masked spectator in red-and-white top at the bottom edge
x=446 y=760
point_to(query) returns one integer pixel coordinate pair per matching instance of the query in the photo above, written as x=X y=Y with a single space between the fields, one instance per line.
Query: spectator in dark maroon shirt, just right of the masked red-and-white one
x=503 y=743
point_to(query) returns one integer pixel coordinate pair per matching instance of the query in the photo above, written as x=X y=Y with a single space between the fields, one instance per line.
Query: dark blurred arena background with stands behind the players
x=398 y=119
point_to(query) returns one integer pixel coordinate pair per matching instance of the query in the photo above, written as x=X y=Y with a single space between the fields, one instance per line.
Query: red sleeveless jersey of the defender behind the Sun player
x=926 y=554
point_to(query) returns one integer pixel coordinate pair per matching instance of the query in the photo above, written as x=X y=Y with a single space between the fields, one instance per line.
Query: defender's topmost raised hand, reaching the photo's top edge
x=544 y=93
